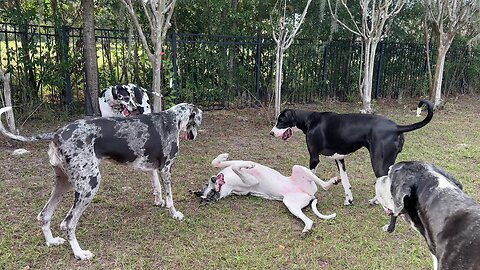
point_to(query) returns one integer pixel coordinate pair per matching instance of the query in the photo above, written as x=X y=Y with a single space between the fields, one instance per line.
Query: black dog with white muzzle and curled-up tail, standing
x=338 y=135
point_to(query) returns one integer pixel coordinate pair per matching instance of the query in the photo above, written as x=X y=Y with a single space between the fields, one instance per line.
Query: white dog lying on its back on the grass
x=249 y=178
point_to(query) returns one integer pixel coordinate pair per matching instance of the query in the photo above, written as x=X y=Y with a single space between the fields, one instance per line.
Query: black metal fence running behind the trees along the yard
x=217 y=71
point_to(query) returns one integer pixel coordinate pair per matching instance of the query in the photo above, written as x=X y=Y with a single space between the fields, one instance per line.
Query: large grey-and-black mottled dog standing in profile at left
x=147 y=142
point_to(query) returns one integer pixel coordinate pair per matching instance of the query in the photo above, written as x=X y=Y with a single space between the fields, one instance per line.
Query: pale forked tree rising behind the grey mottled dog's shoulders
x=158 y=14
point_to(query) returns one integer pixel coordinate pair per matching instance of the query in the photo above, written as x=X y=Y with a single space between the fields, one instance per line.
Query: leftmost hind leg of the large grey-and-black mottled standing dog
x=61 y=186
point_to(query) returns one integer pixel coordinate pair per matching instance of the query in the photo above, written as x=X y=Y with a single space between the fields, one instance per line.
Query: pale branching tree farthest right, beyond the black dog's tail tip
x=447 y=18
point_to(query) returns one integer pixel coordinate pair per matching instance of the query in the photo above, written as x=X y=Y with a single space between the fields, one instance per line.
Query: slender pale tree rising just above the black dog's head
x=284 y=29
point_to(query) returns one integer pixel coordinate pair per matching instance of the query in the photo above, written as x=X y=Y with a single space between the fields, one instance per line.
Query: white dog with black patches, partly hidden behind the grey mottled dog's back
x=124 y=100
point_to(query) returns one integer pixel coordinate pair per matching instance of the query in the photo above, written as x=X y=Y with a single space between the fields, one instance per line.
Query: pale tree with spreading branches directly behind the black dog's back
x=373 y=26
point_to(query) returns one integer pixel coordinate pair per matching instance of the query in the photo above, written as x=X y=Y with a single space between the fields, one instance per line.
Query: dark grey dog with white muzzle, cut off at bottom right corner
x=434 y=204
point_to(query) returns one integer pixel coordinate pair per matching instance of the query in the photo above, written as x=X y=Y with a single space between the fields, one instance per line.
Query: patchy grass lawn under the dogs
x=125 y=231
